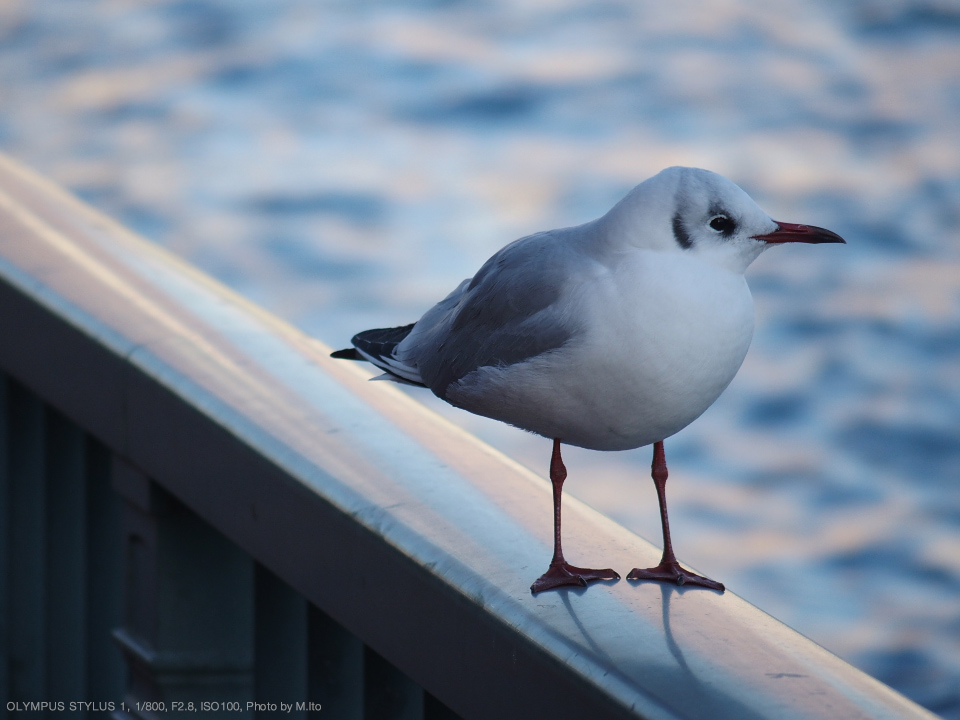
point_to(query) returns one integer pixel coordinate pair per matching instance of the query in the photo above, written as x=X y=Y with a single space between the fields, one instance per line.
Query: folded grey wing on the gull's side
x=508 y=312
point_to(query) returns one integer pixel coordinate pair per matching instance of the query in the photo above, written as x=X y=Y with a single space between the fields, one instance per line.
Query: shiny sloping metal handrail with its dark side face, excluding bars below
x=415 y=536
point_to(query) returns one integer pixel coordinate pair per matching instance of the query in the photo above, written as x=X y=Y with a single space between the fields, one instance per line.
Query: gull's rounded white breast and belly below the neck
x=666 y=333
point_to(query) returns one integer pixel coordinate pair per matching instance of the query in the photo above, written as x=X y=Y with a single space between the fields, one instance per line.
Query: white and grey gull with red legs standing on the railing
x=611 y=335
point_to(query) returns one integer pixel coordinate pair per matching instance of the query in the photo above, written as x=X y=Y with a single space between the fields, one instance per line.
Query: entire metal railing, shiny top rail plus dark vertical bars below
x=281 y=529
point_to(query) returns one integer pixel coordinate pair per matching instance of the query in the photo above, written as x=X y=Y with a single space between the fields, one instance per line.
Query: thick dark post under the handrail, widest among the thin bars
x=188 y=627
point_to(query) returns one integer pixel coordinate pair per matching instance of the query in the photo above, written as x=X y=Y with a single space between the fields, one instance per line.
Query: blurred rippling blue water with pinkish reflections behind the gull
x=345 y=164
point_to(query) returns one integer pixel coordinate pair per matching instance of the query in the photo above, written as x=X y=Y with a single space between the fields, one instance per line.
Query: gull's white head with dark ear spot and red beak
x=689 y=210
